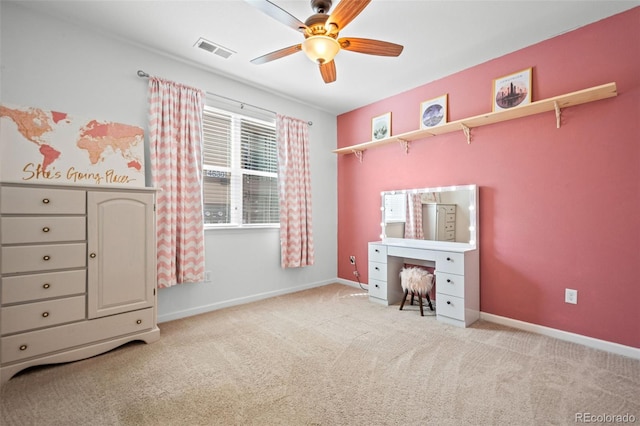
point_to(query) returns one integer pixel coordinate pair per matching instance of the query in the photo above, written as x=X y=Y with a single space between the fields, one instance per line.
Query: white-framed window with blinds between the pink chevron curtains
x=240 y=170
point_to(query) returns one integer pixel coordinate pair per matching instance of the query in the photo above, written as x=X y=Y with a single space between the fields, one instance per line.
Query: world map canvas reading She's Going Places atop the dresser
x=41 y=146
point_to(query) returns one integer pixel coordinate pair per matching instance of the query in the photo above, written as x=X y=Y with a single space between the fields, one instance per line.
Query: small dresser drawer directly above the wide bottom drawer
x=14 y=319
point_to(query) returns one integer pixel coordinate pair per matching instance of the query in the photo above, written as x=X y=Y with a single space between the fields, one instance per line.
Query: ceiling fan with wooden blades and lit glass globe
x=321 y=31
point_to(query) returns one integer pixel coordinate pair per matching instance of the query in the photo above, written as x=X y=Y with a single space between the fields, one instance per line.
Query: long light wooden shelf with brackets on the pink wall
x=465 y=125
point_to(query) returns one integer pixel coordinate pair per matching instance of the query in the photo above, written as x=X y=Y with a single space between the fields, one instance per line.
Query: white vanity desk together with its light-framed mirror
x=456 y=263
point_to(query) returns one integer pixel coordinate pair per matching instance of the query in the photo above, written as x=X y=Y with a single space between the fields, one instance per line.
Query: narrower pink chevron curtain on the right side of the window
x=294 y=187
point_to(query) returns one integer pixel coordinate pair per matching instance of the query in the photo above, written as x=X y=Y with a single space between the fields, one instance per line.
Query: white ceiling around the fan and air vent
x=439 y=38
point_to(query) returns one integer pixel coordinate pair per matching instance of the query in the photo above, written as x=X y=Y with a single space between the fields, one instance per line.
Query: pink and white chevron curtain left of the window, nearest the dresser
x=175 y=141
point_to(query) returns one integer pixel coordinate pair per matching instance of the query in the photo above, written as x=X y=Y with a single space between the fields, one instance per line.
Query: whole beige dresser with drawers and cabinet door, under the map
x=78 y=269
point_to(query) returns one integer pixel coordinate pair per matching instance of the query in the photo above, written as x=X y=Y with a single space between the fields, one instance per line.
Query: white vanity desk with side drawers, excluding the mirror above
x=456 y=270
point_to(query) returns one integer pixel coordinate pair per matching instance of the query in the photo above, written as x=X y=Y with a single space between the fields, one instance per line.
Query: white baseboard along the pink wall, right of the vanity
x=603 y=345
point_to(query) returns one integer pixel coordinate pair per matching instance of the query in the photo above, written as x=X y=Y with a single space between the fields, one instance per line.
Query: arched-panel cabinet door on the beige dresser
x=121 y=252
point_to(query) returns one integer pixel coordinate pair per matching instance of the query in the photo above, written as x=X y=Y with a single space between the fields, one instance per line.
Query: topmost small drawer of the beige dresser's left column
x=16 y=200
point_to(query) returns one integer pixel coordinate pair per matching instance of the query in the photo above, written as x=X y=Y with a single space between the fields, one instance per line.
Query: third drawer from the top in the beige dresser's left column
x=43 y=257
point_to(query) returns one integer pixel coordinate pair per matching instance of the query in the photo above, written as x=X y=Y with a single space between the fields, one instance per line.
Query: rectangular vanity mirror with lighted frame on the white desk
x=420 y=217
